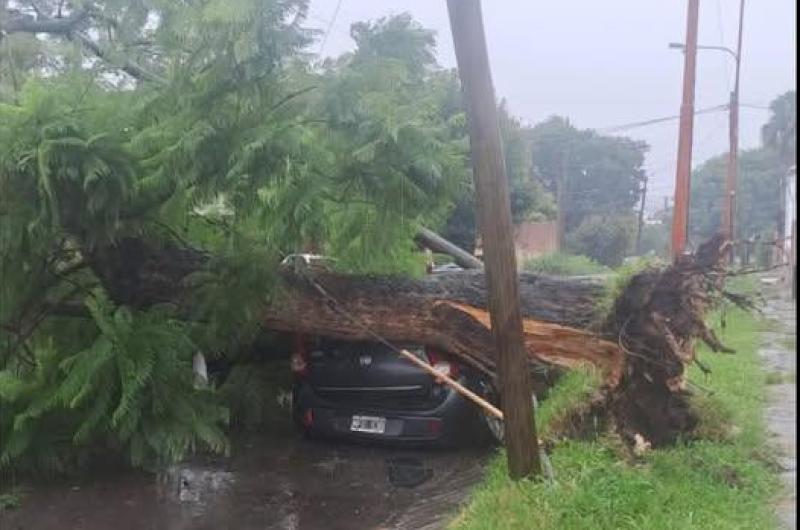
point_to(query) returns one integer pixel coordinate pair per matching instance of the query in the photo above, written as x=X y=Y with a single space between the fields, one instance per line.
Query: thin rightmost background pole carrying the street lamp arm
x=732 y=175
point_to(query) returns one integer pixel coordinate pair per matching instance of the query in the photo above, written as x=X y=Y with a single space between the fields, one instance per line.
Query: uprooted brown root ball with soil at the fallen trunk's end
x=658 y=318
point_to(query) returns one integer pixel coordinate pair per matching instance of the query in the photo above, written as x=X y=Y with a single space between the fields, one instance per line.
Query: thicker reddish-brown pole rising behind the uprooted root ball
x=680 y=215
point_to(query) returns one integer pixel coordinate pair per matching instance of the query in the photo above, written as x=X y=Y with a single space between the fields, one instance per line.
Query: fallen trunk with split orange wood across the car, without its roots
x=448 y=311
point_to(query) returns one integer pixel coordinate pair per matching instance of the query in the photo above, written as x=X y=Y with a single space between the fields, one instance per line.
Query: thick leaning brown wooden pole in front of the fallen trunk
x=494 y=213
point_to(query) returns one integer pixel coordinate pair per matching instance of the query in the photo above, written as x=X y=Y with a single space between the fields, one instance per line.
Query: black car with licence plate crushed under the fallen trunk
x=362 y=390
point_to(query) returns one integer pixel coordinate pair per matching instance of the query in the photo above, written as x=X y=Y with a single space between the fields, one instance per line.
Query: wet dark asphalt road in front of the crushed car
x=272 y=480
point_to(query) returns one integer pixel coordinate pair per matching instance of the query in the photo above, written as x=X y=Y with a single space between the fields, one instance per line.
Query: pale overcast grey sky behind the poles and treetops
x=606 y=63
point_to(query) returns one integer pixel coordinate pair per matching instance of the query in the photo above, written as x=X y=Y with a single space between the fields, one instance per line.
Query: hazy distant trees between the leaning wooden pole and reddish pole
x=602 y=175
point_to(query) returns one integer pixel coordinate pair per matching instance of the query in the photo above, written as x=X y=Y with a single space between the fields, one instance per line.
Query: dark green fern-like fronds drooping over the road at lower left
x=130 y=390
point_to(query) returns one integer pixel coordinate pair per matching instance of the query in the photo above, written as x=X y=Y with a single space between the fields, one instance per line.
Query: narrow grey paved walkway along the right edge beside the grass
x=779 y=353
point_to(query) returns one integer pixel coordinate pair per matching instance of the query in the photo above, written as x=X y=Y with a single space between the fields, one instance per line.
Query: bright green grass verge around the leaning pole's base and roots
x=724 y=481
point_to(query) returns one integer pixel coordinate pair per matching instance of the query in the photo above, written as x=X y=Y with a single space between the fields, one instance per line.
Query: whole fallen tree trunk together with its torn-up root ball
x=641 y=342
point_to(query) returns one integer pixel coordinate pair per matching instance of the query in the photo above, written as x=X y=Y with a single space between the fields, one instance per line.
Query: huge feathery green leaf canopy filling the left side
x=131 y=125
